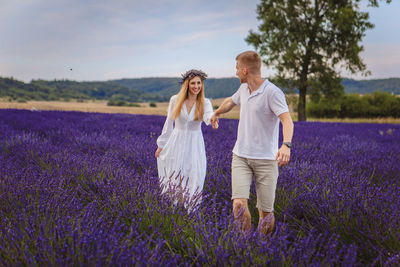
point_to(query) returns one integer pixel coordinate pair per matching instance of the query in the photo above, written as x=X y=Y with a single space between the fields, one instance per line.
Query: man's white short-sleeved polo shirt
x=258 y=130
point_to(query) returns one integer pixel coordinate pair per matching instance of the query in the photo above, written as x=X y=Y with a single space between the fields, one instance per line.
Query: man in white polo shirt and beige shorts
x=262 y=106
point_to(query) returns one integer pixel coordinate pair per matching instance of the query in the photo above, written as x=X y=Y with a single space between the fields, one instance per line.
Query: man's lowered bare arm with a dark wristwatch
x=283 y=155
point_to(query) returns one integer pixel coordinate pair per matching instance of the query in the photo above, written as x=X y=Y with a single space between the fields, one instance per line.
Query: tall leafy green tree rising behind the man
x=307 y=41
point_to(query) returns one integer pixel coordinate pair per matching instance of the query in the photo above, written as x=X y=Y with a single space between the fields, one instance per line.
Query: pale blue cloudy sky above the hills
x=96 y=40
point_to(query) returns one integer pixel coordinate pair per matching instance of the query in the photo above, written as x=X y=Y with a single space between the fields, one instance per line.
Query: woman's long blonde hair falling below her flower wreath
x=183 y=95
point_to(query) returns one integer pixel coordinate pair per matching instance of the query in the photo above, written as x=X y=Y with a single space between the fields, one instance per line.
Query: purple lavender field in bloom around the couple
x=82 y=189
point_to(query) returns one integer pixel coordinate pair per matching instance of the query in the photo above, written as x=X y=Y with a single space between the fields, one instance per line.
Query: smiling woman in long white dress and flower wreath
x=181 y=156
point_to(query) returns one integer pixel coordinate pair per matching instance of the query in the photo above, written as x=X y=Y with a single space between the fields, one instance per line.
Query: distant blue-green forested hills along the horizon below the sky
x=151 y=89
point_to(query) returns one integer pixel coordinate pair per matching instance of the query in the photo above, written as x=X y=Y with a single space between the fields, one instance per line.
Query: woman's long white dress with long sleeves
x=182 y=161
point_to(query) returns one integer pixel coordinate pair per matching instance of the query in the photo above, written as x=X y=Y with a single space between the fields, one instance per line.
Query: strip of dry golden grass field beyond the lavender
x=160 y=109
